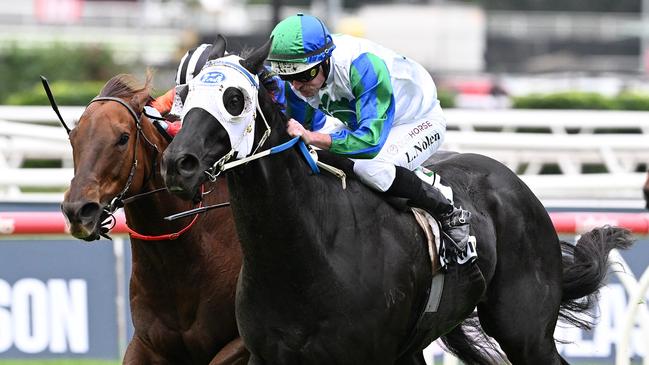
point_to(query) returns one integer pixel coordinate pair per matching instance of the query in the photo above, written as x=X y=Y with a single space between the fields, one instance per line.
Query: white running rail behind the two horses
x=23 y=137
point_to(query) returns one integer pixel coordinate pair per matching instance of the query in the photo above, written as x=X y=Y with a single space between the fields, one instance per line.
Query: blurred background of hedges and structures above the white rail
x=473 y=48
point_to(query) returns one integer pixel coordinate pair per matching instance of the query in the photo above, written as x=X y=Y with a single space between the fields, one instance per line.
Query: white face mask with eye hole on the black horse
x=207 y=91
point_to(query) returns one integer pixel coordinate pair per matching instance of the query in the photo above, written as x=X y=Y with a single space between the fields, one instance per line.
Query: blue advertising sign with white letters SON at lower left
x=57 y=299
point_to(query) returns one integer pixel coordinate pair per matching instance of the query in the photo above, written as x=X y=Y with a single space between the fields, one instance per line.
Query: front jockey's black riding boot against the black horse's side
x=455 y=221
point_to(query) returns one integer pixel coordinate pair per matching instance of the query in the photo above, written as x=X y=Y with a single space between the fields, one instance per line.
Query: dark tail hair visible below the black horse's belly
x=471 y=345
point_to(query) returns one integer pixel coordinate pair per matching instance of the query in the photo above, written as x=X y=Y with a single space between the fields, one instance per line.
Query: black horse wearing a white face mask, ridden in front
x=333 y=276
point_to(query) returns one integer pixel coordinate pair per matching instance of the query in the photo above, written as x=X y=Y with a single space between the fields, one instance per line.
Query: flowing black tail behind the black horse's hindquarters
x=585 y=266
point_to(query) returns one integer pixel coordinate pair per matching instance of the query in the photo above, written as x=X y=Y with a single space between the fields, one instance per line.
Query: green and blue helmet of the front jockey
x=299 y=43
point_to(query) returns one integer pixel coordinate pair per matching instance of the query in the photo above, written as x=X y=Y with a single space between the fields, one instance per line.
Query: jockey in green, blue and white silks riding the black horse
x=389 y=120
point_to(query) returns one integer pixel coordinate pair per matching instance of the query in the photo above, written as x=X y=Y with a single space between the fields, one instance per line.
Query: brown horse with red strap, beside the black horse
x=181 y=291
